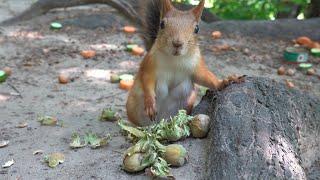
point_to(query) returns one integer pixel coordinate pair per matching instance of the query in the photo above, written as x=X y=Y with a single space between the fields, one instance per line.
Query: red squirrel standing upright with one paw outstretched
x=165 y=82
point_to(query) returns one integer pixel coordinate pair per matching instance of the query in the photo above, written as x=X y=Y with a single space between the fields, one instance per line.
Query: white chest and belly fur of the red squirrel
x=174 y=83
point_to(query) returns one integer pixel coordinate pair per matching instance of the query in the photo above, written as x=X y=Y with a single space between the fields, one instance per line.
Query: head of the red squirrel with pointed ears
x=178 y=30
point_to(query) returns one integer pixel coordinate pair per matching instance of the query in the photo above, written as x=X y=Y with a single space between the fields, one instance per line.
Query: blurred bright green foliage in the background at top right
x=253 y=9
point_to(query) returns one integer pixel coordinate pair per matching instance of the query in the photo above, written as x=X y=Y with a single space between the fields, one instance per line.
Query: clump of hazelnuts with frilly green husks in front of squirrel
x=149 y=152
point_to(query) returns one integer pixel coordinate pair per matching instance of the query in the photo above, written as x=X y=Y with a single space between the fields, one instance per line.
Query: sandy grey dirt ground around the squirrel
x=37 y=55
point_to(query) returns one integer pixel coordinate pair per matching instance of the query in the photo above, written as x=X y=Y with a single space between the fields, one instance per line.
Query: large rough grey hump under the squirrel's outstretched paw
x=262 y=130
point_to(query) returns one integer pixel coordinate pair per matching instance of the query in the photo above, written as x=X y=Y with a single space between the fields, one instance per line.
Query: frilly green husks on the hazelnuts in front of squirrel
x=149 y=137
